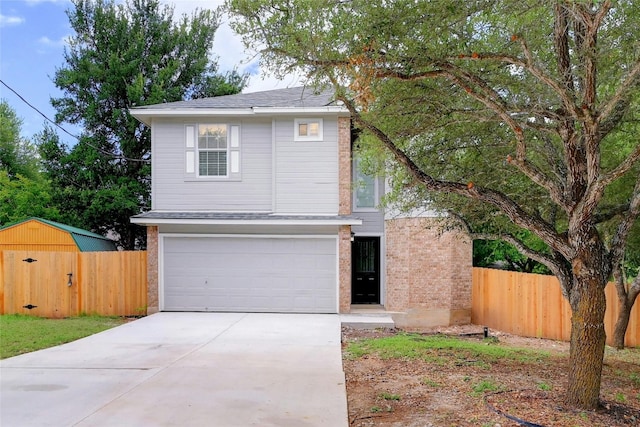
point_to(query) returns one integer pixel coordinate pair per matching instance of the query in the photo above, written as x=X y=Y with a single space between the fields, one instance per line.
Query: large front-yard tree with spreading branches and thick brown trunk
x=514 y=115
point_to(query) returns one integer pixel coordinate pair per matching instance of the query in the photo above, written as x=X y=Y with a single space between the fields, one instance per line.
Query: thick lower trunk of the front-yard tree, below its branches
x=588 y=338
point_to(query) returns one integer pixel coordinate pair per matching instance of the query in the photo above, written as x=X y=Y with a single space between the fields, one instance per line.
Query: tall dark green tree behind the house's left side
x=123 y=55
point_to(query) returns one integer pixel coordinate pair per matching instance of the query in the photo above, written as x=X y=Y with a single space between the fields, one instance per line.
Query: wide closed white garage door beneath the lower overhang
x=250 y=274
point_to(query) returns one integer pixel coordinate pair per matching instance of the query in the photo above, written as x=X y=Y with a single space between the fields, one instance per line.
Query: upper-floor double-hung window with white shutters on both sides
x=212 y=150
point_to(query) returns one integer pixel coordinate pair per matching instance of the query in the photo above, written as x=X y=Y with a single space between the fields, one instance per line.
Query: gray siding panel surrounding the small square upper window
x=306 y=172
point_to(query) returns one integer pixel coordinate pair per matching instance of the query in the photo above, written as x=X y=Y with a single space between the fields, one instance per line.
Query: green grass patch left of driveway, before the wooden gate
x=22 y=334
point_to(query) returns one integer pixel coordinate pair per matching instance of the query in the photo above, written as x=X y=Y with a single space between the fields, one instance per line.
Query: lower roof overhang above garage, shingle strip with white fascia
x=207 y=218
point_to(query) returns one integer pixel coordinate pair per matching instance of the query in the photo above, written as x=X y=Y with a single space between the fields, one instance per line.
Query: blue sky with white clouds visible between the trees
x=32 y=41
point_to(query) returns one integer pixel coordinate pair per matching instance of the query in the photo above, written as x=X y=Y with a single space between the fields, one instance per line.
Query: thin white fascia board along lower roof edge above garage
x=204 y=221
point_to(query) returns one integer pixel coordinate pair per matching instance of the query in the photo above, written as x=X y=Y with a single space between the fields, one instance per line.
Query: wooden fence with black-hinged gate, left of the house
x=62 y=284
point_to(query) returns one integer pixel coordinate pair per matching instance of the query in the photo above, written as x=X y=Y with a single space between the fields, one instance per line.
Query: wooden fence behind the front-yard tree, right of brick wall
x=532 y=305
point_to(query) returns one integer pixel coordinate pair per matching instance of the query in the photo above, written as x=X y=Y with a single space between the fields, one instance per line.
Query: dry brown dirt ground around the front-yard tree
x=412 y=393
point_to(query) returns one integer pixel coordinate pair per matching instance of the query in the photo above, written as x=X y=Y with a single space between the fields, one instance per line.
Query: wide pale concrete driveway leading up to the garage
x=185 y=369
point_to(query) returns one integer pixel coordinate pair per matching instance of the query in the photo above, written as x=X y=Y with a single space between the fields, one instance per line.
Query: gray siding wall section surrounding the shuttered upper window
x=172 y=190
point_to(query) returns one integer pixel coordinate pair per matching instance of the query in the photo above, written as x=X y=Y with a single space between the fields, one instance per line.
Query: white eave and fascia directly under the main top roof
x=145 y=115
